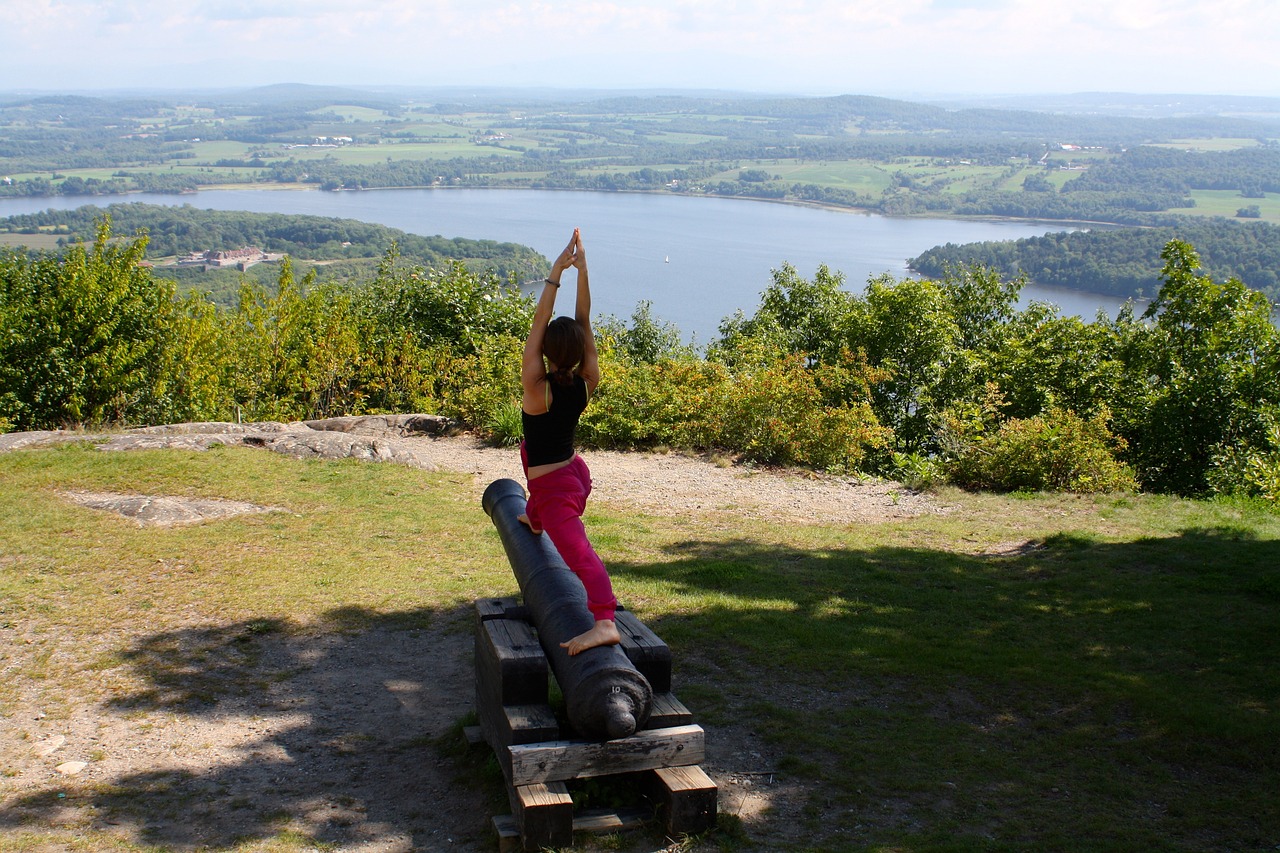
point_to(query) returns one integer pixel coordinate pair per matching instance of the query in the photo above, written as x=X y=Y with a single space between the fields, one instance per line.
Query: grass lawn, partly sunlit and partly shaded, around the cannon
x=1022 y=673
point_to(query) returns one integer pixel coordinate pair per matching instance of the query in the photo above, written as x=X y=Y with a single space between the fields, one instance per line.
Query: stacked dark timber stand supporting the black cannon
x=540 y=754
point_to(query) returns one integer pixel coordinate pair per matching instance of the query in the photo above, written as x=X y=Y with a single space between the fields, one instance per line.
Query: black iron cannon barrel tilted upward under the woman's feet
x=605 y=695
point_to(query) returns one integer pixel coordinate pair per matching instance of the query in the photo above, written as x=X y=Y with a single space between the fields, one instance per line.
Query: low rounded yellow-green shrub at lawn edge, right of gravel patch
x=1058 y=453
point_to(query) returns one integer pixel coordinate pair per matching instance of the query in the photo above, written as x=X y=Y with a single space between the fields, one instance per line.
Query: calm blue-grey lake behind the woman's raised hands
x=697 y=261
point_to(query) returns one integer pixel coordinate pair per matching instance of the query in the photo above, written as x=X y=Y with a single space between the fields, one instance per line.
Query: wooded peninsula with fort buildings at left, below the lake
x=180 y=231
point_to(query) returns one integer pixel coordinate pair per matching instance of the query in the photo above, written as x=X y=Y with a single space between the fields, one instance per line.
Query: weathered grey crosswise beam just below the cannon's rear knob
x=650 y=750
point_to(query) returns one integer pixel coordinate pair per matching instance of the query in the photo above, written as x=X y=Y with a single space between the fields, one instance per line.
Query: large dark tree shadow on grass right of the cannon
x=1076 y=695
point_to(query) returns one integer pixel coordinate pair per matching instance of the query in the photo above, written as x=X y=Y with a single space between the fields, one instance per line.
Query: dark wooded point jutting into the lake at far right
x=1123 y=262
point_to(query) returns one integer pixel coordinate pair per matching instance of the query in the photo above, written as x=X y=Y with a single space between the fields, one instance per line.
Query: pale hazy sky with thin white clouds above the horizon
x=890 y=48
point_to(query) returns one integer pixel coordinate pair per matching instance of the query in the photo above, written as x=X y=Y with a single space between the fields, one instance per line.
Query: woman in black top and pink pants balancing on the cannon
x=559 y=375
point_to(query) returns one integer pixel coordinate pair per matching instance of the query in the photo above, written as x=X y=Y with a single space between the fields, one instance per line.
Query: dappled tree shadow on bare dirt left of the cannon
x=331 y=737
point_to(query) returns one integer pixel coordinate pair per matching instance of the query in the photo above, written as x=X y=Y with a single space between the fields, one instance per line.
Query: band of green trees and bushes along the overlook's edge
x=917 y=380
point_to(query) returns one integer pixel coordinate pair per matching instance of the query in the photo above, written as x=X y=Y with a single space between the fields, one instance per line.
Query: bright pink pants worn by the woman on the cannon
x=556 y=505
